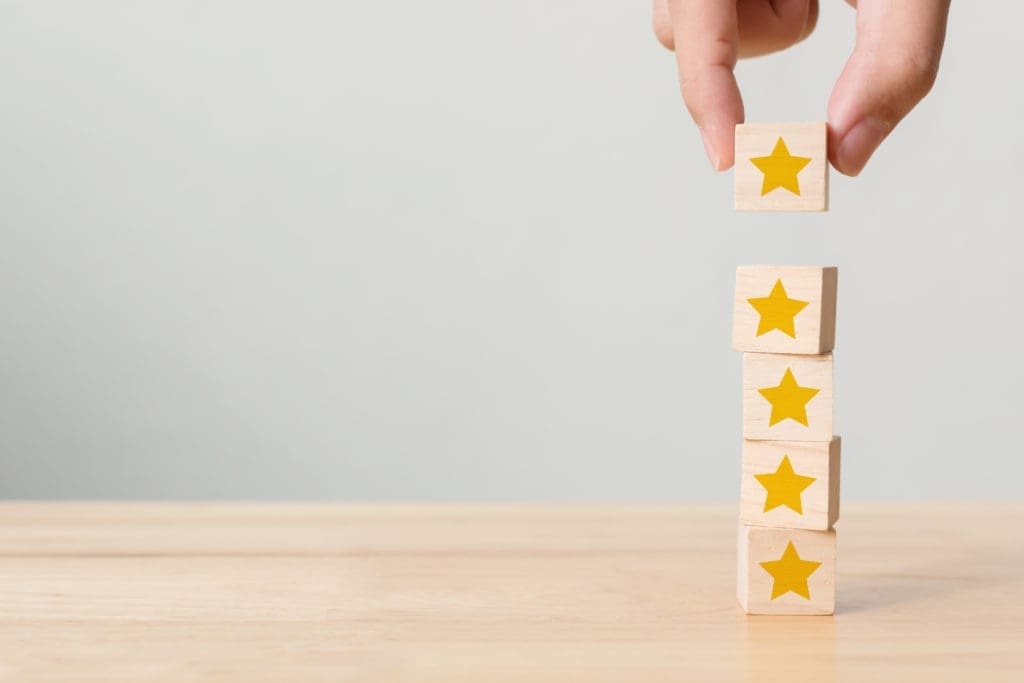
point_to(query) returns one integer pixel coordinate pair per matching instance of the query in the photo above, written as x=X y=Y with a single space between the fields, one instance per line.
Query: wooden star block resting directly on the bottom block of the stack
x=791 y=484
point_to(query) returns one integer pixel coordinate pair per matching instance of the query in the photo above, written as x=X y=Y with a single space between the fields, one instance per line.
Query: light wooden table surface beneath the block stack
x=485 y=594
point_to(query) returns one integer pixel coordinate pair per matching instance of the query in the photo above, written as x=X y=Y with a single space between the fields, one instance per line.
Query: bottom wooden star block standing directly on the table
x=786 y=571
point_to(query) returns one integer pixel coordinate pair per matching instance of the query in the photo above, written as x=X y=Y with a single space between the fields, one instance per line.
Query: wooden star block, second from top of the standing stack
x=788 y=398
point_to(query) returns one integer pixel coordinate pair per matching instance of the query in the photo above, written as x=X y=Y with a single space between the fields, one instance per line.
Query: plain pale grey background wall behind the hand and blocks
x=465 y=250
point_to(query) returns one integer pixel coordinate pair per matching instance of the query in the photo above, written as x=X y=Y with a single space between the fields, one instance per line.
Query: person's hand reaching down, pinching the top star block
x=893 y=66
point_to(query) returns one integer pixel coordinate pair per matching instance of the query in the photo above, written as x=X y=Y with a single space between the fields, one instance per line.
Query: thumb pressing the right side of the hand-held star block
x=892 y=68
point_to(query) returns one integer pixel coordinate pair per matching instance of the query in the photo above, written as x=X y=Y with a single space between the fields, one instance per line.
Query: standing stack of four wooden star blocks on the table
x=785 y=324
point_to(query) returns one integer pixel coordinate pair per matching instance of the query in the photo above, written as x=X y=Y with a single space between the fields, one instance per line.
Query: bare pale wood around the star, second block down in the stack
x=765 y=371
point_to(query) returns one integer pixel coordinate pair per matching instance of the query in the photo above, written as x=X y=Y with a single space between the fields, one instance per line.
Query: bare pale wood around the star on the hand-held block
x=756 y=141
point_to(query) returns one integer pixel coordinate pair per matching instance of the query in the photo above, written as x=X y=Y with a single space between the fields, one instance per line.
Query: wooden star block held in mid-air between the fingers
x=782 y=167
